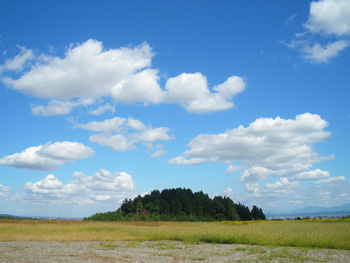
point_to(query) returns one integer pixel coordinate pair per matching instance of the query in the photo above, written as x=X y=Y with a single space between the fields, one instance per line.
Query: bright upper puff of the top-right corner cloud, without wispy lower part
x=331 y=17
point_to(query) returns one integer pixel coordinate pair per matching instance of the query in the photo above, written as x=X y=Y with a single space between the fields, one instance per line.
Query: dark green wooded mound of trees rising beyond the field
x=180 y=205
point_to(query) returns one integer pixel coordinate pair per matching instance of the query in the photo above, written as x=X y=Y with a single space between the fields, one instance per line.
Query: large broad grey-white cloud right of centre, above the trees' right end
x=276 y=147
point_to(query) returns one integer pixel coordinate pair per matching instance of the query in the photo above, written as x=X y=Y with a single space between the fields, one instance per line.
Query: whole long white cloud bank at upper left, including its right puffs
x=89 y=72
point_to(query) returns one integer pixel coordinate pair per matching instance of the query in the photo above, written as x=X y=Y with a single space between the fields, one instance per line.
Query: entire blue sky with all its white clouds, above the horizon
x=104 y=100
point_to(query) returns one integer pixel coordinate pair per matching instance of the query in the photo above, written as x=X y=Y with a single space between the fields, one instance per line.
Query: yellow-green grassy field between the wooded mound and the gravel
x=315 y=234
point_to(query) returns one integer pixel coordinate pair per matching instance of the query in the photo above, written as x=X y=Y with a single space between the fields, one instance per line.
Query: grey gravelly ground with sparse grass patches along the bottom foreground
x=162 y=251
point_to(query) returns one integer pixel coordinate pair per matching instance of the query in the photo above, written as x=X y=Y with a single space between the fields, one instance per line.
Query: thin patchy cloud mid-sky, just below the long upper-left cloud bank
x=121 y=134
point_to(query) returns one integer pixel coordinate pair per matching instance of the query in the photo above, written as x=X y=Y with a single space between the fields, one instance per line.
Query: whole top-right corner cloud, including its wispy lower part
x=328 y=18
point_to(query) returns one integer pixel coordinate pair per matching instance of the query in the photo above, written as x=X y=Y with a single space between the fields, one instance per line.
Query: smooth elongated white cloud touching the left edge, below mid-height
x=48 y=156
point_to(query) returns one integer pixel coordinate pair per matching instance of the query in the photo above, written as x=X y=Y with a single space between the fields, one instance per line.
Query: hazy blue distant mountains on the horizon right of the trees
x=315 y=211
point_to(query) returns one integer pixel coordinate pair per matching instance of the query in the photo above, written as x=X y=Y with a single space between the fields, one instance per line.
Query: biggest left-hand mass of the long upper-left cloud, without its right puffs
x=86 y=71
